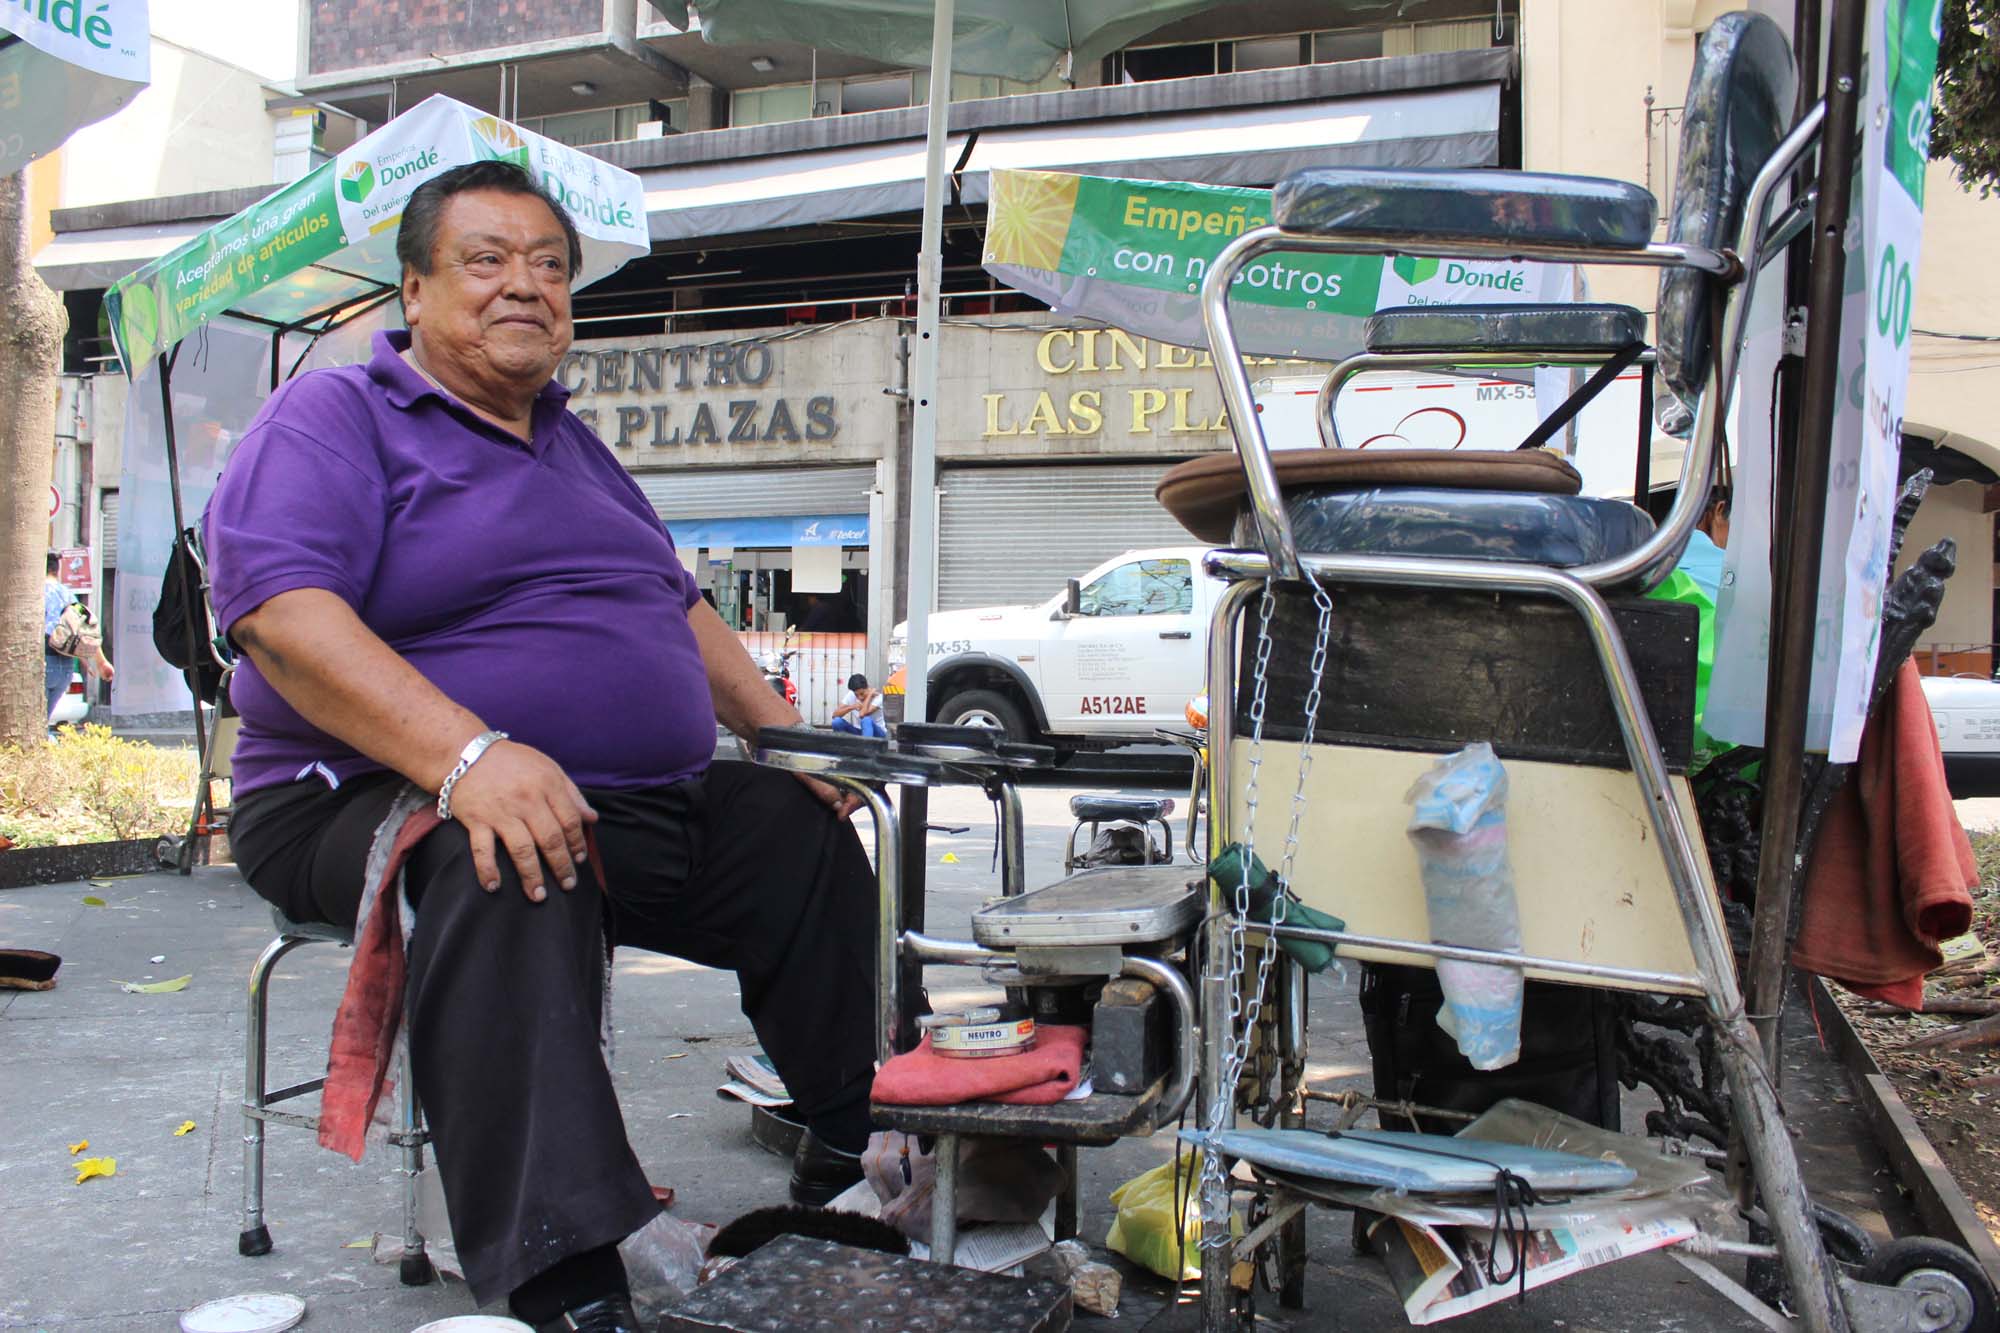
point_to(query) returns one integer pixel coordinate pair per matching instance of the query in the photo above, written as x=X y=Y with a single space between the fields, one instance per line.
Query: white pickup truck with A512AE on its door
x=1119 y=651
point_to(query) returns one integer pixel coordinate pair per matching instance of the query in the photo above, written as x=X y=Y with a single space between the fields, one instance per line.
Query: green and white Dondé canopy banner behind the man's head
x=331 y=237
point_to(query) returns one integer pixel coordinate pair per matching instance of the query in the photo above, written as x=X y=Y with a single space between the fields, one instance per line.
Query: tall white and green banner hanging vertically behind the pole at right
x=1885 y=241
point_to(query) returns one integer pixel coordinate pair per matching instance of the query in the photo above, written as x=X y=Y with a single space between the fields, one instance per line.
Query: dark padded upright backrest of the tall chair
x=1739 y=109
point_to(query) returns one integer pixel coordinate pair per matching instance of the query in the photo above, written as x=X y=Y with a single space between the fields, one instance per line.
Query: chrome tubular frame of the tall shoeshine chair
x=1821 y=1298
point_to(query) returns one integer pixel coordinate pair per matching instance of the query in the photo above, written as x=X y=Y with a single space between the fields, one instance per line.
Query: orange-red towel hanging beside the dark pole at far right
x=1891 y=872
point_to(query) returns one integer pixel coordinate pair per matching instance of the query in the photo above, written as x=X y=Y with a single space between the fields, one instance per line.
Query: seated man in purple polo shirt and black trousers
x=441 y=577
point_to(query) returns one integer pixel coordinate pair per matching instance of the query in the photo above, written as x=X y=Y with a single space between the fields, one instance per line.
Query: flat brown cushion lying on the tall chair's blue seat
x=1207 y=493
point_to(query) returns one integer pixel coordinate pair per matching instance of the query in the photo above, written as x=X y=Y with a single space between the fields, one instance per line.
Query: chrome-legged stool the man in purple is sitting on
x=411 y=1136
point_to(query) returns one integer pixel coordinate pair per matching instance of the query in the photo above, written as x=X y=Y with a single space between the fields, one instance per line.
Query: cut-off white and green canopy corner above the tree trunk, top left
x=67 y=65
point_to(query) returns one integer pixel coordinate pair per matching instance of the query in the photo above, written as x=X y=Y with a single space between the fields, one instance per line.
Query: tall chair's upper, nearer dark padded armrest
x=1467 y=205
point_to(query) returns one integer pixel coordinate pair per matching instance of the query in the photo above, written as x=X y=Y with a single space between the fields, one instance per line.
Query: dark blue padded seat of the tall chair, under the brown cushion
x=1463 y=525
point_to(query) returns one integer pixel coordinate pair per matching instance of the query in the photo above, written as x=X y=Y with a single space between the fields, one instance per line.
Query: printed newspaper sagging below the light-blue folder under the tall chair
x=1441 y=1272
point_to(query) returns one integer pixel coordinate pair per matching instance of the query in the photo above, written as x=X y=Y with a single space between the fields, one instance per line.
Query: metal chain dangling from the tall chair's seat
x=1243 y=1014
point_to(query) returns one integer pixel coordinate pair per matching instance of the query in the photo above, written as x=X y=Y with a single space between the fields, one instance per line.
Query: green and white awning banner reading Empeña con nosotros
x=1133 y=255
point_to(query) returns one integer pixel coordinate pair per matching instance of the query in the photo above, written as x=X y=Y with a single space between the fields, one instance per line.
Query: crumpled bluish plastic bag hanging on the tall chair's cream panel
x=1459 y=828
